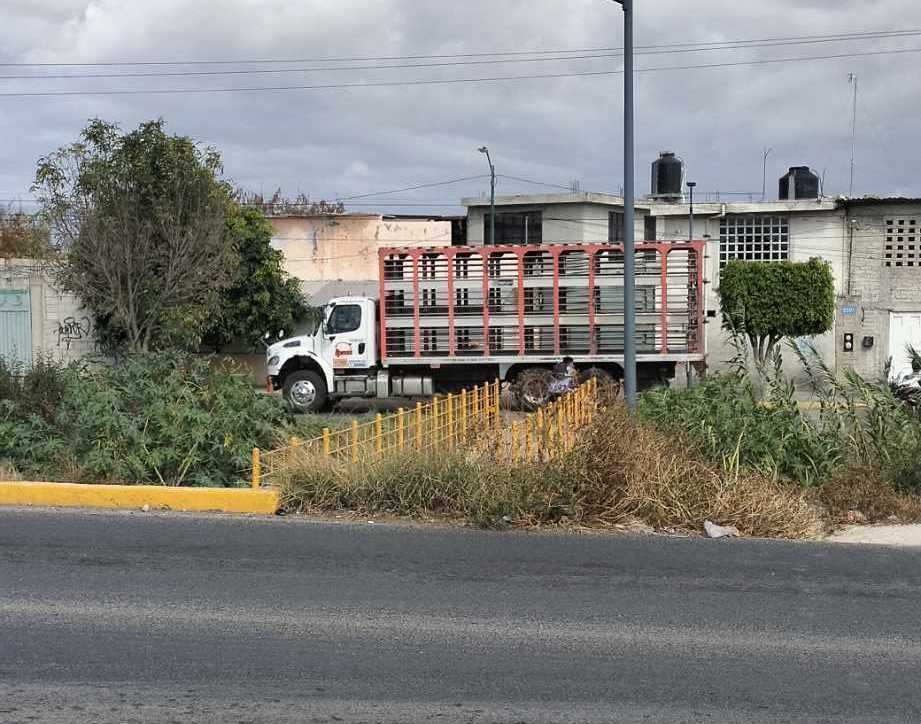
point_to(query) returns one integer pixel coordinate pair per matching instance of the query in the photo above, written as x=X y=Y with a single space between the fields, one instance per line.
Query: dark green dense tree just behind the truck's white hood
x=261 y=296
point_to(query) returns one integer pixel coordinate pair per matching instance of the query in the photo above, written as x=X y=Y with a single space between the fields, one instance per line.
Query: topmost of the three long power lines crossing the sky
x=873 y=34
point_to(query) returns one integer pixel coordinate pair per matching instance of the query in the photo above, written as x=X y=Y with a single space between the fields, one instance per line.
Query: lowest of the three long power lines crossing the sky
x=446 y=81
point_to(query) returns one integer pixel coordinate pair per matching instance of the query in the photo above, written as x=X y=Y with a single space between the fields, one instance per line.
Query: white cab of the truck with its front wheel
x=337 y=359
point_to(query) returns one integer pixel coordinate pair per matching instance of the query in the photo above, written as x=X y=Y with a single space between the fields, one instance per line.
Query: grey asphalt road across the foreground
x=157 y=618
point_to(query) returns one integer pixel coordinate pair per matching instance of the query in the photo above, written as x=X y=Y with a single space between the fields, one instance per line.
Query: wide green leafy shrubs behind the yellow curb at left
x=161 y=418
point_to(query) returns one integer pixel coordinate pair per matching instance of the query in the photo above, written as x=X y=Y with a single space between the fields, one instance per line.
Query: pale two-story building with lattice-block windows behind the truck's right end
x=873 y=247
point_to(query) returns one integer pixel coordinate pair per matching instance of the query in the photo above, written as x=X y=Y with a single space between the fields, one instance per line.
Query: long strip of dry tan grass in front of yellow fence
x=620 y=472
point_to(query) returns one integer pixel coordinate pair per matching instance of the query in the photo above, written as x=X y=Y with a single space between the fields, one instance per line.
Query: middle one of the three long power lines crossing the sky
x=600 y=54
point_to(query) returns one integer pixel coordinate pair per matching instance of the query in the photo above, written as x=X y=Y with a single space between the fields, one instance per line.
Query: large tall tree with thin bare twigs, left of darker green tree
x=142 y=218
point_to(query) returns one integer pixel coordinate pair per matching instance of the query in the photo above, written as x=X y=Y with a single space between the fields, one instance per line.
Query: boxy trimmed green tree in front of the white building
x=768 y=301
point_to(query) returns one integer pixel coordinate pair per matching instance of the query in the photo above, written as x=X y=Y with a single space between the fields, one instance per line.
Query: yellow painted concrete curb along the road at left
x=224 y=500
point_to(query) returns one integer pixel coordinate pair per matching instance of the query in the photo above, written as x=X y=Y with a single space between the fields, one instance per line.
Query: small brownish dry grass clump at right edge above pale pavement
x=861 y=494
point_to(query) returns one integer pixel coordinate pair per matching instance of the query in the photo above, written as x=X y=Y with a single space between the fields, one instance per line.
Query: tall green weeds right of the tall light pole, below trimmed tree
x=749 y=419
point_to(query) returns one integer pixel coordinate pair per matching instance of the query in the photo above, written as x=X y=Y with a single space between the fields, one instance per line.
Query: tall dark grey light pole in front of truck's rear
x=629 y=225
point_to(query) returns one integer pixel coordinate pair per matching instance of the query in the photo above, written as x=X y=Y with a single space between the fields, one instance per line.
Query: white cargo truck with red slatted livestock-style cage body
x=454 y=317
